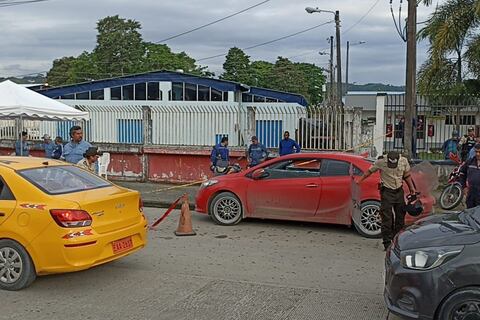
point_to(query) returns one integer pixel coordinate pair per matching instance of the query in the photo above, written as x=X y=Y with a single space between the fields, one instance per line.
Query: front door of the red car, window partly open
x=290 y=190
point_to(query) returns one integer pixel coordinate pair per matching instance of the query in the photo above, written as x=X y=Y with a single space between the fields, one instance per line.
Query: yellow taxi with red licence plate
x=56 y=217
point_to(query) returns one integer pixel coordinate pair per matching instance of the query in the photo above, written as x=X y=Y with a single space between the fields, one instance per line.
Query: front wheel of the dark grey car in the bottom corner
x=462 y=305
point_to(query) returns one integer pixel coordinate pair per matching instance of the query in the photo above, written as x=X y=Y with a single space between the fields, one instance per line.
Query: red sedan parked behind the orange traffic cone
x=314 y=187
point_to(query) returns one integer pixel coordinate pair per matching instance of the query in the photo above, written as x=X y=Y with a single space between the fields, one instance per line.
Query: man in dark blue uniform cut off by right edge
x=470 y=172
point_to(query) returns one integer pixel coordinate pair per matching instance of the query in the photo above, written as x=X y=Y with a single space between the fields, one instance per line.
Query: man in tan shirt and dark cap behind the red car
x=393 y=170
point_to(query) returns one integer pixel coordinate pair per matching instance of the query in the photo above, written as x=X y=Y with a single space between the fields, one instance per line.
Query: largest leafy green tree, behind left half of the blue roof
x=120 y=50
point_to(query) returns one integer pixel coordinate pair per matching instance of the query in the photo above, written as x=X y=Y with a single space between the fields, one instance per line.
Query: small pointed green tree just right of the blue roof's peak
x=237 y=66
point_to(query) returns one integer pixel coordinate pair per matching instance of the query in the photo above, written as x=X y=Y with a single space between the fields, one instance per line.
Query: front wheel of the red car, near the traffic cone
x=226 y=209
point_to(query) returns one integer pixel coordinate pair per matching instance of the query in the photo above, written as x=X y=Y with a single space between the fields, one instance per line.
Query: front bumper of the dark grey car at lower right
x=413 y=294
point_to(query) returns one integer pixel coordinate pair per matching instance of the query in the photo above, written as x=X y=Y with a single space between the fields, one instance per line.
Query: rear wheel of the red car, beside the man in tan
x=369 y=224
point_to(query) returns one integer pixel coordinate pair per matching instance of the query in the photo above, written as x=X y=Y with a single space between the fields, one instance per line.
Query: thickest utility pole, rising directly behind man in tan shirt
x=410 y=86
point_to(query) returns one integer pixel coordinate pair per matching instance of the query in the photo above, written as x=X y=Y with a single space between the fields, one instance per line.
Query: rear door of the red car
x=335 y=204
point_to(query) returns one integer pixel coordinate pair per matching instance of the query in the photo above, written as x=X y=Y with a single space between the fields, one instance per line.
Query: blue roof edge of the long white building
x=170 y=76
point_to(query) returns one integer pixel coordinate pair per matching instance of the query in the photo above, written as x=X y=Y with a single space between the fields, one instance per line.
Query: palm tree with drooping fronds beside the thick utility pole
x=451 y=32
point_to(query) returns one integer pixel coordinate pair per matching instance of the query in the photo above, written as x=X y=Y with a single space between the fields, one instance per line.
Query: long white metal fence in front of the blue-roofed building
x=201 y=124
